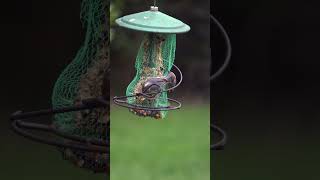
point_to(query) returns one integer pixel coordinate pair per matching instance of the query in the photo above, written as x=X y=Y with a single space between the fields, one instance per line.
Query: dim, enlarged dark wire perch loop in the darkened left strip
x=20 y=126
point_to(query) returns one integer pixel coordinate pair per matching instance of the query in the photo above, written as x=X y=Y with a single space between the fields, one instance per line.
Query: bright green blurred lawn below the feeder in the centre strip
x=175 y=148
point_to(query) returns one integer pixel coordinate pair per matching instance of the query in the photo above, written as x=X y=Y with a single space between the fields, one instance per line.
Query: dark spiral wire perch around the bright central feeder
x=122 y=100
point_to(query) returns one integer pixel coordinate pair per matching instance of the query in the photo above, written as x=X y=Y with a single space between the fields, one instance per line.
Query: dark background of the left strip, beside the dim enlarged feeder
x=38 y=39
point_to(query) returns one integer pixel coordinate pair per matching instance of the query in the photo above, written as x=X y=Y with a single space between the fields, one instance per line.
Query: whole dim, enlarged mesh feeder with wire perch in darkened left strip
x=80 y=100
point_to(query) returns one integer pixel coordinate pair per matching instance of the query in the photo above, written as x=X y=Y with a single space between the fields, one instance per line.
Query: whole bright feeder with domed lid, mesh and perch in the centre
x=147 y=95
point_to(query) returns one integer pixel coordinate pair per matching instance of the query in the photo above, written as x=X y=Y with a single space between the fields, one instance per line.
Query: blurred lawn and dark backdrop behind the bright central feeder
x=177 y=147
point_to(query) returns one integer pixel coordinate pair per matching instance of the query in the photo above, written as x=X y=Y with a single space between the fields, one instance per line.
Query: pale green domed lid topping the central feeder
x=153 y=21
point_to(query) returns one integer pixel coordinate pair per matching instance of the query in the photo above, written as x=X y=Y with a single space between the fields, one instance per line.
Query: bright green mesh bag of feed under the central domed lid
x=155 y=59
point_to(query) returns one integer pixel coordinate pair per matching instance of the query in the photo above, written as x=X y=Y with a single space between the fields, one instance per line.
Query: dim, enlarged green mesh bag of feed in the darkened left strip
x=85 y=78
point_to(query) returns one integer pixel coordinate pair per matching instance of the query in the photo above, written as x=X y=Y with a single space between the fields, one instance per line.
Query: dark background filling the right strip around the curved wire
x=268 y=99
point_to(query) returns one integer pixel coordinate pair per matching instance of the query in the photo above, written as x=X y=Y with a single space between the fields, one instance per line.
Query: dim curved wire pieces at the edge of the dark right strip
x=221 y=143
